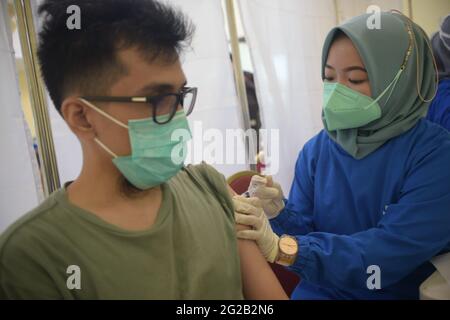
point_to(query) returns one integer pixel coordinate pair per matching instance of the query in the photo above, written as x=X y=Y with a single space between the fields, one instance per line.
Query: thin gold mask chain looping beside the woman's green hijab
x=413 y=42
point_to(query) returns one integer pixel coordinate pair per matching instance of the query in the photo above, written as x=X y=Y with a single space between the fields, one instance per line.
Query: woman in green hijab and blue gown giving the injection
x=370 y=202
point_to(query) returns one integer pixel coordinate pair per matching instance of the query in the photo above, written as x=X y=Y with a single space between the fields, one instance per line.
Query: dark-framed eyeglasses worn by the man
x=164 y=104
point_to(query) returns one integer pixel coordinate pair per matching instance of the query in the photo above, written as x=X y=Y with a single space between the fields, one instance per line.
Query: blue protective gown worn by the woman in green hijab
x=390 y=210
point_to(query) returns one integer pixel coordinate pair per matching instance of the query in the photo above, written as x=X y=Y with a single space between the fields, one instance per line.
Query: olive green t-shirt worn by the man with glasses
x=60 y=251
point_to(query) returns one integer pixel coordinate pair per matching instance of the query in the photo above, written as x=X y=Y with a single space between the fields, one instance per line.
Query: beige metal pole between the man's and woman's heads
x=239 y=74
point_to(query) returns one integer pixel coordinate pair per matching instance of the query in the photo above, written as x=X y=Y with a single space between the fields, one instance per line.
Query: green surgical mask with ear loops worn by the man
x=156 y=156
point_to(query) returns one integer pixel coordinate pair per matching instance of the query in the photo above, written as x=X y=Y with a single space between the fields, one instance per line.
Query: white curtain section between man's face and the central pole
x=208 y=67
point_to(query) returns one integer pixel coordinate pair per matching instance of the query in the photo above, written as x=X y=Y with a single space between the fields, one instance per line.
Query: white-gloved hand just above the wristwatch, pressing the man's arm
x=248 y=211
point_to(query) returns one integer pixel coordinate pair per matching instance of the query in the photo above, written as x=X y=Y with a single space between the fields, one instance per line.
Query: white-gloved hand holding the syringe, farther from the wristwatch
x=269 y=193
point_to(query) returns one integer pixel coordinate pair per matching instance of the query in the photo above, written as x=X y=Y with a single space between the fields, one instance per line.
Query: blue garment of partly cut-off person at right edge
x=439 y=111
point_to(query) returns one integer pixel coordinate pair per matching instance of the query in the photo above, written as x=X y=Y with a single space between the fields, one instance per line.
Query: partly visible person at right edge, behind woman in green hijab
x=439 y=111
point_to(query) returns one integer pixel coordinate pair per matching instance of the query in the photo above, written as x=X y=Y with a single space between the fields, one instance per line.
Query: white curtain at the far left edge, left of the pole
x=20 y=188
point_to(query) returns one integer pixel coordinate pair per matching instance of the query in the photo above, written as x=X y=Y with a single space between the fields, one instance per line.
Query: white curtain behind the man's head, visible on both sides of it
x=208 y=67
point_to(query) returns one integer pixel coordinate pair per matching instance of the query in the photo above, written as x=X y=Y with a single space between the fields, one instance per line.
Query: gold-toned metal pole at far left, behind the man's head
x=46 y=150
